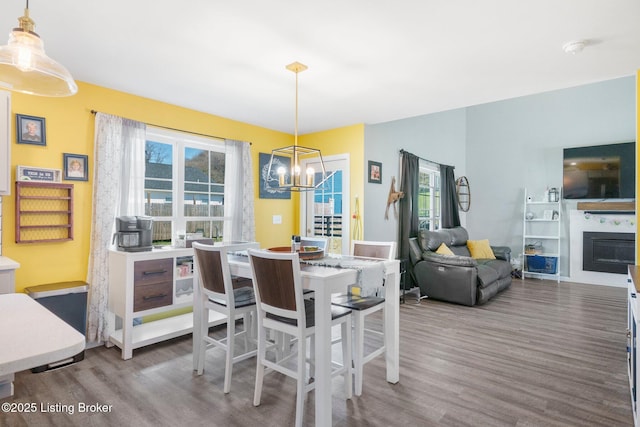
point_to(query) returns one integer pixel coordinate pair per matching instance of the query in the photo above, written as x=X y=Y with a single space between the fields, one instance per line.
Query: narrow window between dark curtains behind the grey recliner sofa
x=429 y=196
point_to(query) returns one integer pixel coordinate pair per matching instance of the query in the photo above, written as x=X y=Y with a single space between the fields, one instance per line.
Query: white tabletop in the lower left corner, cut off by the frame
x=31 y=335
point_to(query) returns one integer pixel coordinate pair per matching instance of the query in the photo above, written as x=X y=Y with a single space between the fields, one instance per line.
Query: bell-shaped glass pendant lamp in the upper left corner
x=26 y=68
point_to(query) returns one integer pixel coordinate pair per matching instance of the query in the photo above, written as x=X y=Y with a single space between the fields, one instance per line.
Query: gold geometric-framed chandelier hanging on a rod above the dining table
x=286 y=162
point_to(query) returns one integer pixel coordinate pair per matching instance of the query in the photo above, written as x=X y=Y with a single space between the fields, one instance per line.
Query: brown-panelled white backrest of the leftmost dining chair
x=212 y=270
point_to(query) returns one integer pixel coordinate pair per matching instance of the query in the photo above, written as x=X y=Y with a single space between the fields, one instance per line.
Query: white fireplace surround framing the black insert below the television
x=581 y=221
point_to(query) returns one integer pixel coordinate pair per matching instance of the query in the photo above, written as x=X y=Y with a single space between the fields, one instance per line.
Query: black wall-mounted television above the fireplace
x=600 y=172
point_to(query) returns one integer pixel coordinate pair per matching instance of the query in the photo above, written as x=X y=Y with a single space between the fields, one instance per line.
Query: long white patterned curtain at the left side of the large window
x=118 y=189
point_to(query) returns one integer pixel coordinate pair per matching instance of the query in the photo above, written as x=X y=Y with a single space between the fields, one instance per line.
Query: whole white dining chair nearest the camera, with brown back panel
x=282 y=307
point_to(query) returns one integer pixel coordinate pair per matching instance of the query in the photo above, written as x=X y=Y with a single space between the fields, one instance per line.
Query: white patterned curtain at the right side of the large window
x=238 y=199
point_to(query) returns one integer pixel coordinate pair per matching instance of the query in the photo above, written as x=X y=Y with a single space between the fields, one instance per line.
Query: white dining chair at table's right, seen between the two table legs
x=362 y=306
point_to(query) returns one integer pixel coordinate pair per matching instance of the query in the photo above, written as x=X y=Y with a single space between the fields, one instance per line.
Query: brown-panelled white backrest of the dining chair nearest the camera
x=277 y=284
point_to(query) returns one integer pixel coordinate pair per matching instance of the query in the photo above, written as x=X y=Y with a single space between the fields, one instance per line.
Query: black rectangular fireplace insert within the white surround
x=607 y=252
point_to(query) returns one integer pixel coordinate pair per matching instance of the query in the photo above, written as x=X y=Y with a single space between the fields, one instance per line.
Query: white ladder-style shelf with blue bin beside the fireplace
x=541 y=229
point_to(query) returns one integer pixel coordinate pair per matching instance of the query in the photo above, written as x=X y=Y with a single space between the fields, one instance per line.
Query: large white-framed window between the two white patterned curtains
x=189 y=170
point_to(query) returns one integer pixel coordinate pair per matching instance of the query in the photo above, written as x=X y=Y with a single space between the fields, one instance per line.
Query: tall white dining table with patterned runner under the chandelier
x=335 y=274
